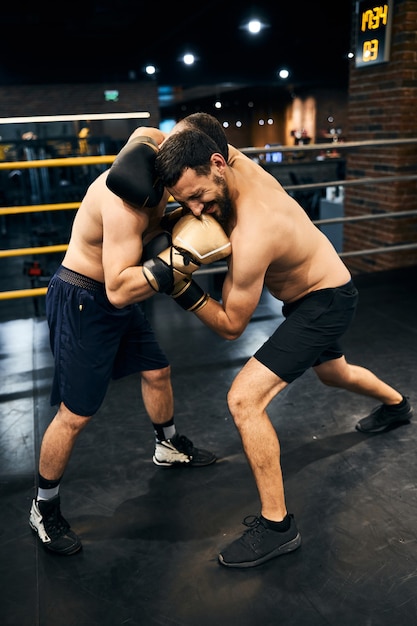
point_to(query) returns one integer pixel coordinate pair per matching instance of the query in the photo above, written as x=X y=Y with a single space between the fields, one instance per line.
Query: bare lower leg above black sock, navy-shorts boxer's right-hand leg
x=157 y=395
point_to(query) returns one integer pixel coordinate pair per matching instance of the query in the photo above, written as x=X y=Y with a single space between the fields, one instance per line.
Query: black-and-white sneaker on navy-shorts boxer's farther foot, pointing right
x=180 y=452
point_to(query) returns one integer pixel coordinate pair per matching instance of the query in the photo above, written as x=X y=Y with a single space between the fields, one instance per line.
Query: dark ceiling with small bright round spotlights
x=113 y=40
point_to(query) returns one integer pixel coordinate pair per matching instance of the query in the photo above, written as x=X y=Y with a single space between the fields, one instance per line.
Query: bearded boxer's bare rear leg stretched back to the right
x=339 y=373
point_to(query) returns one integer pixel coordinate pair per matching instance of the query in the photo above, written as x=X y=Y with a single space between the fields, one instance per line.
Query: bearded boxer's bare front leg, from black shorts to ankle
x=251 y=392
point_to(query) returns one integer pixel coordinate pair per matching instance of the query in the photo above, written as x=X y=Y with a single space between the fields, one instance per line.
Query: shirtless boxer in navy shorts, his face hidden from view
x=97 y=329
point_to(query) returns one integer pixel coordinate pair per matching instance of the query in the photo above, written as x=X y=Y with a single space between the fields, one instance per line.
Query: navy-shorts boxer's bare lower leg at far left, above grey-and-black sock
x=58 y=442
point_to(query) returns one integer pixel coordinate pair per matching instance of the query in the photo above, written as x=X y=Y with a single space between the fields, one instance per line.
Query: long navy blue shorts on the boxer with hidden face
x=93 y=342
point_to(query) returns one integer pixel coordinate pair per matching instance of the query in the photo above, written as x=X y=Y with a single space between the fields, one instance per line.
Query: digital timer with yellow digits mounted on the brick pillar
x=373 y=33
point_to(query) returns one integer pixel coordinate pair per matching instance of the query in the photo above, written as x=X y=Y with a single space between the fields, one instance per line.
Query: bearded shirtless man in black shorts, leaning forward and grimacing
x=274 y=244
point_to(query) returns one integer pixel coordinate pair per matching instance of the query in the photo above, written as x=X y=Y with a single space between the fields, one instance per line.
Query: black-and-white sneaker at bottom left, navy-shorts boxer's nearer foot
x=53 y=530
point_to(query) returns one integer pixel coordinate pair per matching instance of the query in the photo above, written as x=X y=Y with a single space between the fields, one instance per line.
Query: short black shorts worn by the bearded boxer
x=310 y=332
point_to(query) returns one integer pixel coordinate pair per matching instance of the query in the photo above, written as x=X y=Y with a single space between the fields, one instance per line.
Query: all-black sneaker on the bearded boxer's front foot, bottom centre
x=259 y=544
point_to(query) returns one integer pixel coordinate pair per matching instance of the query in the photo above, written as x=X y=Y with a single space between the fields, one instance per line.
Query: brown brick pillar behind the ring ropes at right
x=382 y=105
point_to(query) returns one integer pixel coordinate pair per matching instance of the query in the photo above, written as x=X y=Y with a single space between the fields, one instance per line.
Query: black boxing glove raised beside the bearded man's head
x=132 y=174
